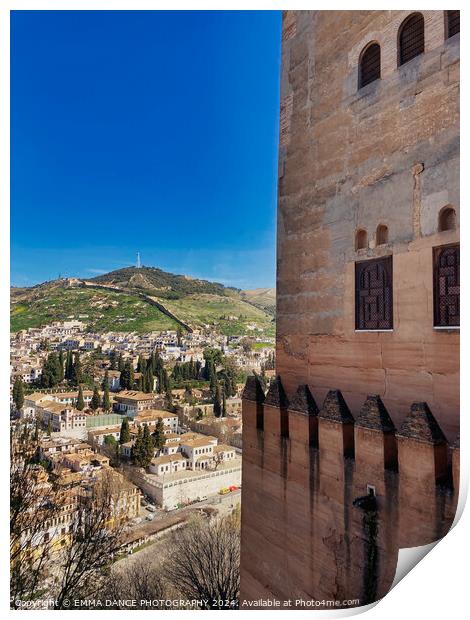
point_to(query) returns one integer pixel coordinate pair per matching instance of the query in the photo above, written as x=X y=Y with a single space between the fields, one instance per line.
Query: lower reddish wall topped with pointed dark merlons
x=347 y=491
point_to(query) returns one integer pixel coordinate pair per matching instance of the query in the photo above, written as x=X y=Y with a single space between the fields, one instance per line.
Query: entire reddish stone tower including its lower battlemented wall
x=352 y=453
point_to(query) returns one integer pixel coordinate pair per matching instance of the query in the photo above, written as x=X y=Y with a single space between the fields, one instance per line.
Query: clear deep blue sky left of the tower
x=144 y=131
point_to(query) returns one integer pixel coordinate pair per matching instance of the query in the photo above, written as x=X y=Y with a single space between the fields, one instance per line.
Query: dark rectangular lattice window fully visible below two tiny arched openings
x=374 y=294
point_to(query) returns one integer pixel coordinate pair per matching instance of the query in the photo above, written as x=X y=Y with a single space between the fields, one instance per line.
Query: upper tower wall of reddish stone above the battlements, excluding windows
x=385 y=154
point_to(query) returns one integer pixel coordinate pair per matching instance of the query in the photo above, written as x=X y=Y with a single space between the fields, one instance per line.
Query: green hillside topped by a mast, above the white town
x=141 y=300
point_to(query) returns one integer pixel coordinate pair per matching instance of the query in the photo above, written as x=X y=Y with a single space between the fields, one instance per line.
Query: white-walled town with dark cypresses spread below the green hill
x=156 y=418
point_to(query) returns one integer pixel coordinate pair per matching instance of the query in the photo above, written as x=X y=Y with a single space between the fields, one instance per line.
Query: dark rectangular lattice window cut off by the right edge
x=447 y=286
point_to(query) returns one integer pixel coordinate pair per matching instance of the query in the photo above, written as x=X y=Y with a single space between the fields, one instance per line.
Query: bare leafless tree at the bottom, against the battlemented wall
x=204 y=559
